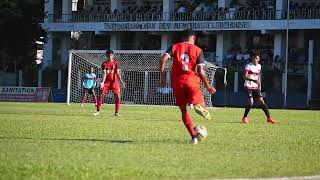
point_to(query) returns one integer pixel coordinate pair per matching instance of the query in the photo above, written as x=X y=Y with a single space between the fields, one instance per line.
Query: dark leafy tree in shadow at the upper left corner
x=20 y=30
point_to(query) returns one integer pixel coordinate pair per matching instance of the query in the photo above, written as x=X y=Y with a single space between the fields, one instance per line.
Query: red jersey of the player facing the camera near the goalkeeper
x=111 y=68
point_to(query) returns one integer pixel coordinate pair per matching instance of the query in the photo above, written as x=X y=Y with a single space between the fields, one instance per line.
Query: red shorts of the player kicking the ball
x=188 y=95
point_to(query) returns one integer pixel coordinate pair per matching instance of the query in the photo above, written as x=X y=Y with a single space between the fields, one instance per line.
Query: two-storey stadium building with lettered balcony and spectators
x=286 y=33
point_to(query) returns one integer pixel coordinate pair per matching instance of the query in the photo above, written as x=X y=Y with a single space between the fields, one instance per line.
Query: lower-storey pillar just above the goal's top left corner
x=65 y=46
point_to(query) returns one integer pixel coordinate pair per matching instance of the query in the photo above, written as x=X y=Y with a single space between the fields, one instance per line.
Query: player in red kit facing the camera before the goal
x=110 y=82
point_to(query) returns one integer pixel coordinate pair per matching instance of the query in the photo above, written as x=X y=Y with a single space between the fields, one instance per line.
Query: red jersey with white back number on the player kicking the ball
x=186 y=57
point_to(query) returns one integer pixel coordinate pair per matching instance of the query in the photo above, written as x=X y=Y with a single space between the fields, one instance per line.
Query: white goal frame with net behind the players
x=139 y=70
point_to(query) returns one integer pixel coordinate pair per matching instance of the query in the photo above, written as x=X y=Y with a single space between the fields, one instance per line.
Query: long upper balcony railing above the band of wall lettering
x=213 y=16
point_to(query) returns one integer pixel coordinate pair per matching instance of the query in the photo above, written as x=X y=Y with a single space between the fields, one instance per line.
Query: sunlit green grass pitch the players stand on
x=56 y=141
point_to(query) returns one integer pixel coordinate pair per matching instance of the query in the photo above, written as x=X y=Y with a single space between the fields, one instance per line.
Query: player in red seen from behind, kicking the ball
x=187 y=71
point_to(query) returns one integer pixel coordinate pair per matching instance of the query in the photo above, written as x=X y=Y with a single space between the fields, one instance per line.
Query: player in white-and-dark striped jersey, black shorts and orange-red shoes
x=252 y=84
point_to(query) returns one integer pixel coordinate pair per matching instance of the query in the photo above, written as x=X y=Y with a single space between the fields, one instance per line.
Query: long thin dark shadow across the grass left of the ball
x=75 y=139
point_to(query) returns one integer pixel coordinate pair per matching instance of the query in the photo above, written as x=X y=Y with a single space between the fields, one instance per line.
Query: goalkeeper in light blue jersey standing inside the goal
x=89 y=83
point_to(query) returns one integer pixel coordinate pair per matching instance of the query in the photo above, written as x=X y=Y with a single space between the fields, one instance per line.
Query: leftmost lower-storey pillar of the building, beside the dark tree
x=47 y=50
